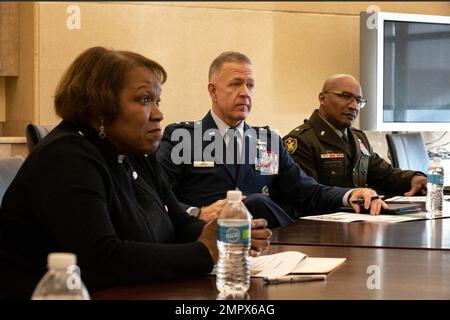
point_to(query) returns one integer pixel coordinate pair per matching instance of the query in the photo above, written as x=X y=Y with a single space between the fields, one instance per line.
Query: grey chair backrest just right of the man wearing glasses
x=407 y=151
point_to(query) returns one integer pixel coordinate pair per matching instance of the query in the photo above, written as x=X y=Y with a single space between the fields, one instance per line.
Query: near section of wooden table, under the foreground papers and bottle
x=403 y=274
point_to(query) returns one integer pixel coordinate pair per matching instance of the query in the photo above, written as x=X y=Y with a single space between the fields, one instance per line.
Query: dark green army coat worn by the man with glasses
x=325 y=156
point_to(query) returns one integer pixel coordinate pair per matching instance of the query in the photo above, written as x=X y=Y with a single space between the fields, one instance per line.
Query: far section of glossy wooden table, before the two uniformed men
x=417 y=234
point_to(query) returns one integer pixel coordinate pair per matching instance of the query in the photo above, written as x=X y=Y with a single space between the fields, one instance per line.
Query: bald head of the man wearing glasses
x=337 y=104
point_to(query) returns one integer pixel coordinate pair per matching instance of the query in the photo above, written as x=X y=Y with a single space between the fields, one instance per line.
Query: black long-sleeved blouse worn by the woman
x=75 y=193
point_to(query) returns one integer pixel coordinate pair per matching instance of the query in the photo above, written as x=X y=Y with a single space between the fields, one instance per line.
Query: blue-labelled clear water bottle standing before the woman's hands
x=233 y=242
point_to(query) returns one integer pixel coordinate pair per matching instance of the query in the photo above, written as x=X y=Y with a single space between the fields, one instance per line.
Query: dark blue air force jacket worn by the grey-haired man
x=202 y=185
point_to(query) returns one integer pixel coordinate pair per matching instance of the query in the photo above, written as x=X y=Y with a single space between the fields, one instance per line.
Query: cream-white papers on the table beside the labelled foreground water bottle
x=291 y=262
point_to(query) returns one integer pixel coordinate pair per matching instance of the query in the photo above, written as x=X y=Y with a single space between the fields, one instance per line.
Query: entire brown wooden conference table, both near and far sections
x=411 y=258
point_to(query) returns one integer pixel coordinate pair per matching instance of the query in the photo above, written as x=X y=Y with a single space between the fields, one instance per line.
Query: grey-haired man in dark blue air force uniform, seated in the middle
x=222 y=152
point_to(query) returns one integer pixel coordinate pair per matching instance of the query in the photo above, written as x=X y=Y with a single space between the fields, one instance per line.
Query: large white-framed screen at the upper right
x=405 y=72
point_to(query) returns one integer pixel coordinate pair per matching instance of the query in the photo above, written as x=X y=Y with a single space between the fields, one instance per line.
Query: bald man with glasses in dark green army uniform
x=328 y=149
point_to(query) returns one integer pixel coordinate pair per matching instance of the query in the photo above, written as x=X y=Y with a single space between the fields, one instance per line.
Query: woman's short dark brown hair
x=90 y=88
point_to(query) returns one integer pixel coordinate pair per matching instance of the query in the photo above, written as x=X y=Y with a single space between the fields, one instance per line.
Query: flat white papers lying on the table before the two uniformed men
x=350 y=217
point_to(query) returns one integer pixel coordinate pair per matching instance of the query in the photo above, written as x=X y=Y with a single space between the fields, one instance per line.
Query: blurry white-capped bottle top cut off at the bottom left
x=62 y=280
